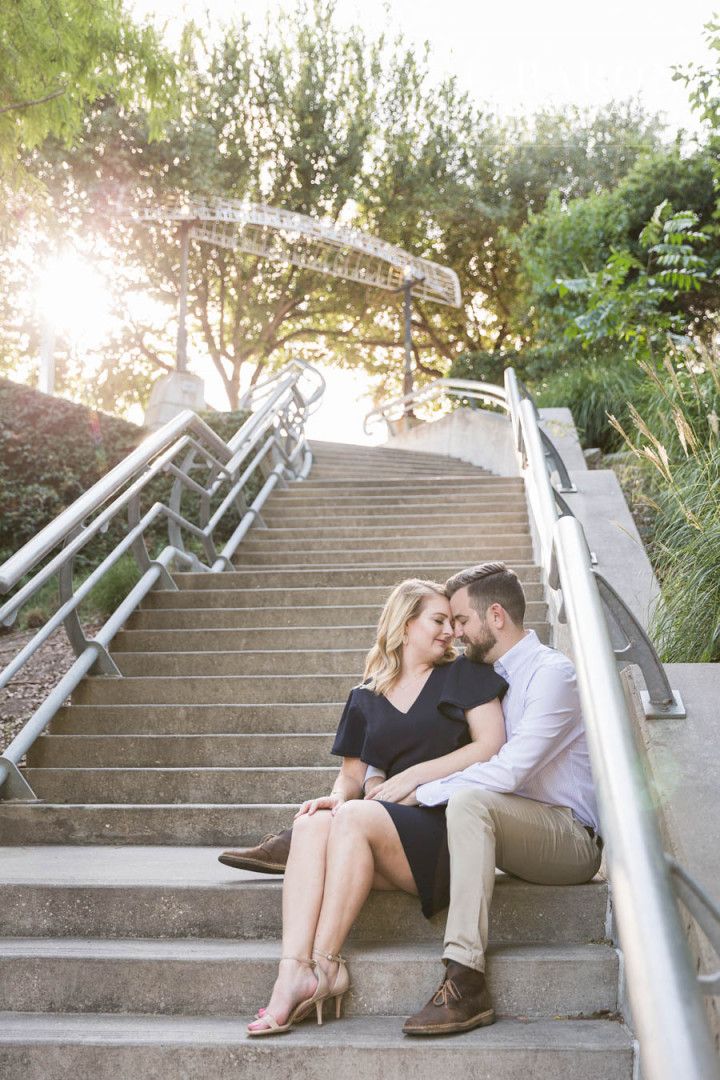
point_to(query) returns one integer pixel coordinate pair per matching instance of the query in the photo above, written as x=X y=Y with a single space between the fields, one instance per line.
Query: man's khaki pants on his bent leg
x=532 y=841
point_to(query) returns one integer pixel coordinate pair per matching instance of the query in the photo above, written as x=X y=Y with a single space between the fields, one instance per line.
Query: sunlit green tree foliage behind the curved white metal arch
x=327 y=123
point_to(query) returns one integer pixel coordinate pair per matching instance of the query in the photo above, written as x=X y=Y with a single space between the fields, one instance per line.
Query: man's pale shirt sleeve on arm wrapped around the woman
x=549 y=725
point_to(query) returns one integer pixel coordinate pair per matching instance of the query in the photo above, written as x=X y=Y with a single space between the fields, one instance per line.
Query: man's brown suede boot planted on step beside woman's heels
x=460 y=1004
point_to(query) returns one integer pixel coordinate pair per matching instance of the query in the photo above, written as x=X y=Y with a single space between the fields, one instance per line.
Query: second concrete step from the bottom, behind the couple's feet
x=225 y=978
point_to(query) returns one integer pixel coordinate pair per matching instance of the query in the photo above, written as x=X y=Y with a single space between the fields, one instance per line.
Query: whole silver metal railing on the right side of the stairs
x=663 y=990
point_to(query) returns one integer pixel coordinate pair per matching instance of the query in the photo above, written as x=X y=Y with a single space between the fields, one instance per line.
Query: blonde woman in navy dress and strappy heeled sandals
x=419 y=715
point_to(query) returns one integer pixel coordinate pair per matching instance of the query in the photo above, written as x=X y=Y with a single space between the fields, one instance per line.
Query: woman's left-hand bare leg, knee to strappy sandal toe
x=303 y=897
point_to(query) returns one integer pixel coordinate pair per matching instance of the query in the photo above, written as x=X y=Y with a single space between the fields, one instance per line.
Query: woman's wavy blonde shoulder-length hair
x=383 y=665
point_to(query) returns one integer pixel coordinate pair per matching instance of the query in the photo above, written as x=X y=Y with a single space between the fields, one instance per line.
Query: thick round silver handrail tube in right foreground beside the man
x=665 y=1000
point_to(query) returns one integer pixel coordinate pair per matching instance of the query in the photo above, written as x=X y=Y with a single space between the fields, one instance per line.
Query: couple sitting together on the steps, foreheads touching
x=452 y=766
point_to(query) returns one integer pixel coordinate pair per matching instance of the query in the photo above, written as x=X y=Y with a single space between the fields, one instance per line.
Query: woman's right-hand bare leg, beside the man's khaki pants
x=364 y=852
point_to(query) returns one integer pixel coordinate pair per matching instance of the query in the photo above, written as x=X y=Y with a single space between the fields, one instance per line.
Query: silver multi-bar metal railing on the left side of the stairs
x=269 y=450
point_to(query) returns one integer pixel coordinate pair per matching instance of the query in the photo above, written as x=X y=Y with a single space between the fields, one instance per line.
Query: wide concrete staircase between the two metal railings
x=128 y=951
